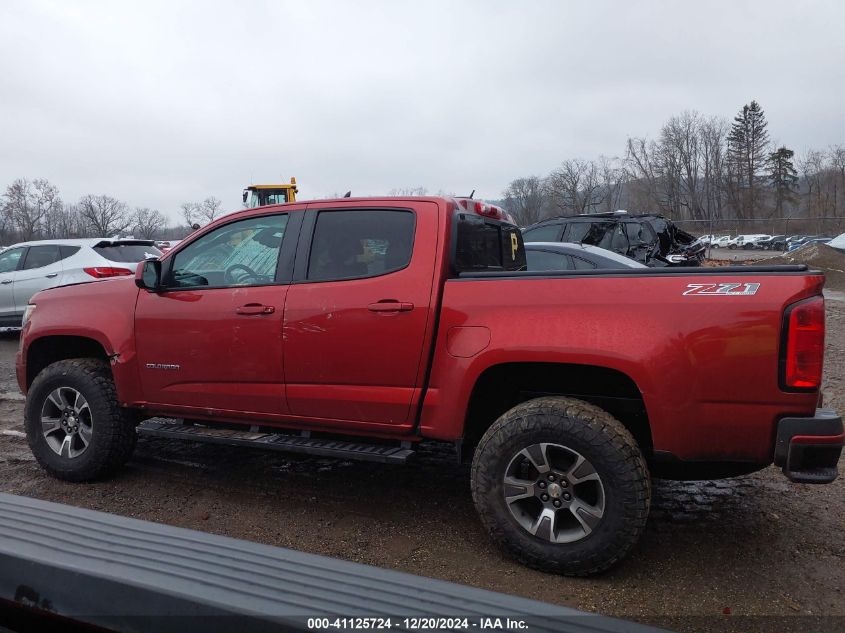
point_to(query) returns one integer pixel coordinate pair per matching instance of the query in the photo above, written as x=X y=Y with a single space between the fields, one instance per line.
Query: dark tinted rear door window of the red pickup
x=360 y=243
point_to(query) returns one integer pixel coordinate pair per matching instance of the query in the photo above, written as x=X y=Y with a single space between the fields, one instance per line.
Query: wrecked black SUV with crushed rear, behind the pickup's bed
x=648 y=238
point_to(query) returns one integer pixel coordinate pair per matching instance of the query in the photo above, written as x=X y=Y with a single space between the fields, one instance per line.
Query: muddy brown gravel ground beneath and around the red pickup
x=714 y=553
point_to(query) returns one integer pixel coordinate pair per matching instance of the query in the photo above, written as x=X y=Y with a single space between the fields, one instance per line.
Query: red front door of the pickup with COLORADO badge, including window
x=211 y=340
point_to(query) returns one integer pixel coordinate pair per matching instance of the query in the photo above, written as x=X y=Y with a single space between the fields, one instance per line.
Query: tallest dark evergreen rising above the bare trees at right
x=748 y=141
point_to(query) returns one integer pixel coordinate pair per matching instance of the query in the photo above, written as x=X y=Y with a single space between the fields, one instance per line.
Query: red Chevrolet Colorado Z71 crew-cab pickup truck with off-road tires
x=358 y=327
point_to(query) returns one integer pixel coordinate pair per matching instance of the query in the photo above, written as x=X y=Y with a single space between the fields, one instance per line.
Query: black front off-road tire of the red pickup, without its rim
x=113 y=437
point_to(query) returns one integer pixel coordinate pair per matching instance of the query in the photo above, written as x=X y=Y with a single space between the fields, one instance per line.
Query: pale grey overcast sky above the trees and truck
x=157 y=103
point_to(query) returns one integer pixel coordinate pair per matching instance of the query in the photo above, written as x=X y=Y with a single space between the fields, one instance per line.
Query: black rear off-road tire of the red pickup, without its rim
x=611 y=450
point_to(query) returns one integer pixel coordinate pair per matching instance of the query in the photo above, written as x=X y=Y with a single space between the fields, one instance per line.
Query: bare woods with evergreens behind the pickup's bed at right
x=699 y=168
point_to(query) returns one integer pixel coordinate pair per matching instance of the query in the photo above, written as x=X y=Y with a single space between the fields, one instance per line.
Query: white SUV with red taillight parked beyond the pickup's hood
x=28 y=267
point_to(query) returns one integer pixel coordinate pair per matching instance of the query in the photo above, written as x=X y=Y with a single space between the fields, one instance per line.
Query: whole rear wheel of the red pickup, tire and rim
x=562 y=486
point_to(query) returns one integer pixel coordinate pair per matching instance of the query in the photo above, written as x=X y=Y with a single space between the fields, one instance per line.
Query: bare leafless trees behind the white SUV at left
x=33 y=209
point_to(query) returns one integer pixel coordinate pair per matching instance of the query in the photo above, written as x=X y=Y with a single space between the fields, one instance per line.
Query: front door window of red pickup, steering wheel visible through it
x=243 y=253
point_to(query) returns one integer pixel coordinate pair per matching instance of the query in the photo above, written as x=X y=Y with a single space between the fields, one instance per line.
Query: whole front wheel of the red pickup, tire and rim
x=75 y=426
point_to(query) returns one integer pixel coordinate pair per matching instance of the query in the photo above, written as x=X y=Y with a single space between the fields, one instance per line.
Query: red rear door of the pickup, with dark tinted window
x=357 y=313
